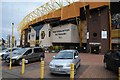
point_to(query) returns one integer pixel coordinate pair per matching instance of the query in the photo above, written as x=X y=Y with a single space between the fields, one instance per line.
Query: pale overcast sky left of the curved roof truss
x=13 y=11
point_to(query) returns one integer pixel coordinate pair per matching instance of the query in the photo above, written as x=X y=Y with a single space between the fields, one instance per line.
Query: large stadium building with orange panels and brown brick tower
x=86 y=26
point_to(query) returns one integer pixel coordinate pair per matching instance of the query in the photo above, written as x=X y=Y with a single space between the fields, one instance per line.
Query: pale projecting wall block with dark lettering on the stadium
x=67 y=33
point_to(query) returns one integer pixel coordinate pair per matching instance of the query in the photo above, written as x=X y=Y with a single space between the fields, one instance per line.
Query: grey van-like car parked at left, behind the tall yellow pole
x=30 y=55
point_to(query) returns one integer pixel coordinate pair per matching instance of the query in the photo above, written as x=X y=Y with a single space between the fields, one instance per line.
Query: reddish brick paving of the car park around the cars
x=91 y=68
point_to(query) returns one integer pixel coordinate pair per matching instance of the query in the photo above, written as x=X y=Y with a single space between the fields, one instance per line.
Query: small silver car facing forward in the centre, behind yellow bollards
x=61 y=62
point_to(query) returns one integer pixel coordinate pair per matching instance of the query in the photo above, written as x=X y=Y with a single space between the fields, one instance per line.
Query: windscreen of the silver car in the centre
x=64 y=55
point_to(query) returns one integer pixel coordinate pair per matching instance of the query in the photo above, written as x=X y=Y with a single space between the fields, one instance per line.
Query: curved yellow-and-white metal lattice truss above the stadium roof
x=45 y=9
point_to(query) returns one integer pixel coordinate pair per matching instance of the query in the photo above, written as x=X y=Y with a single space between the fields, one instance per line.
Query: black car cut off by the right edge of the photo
x=112 y=60
